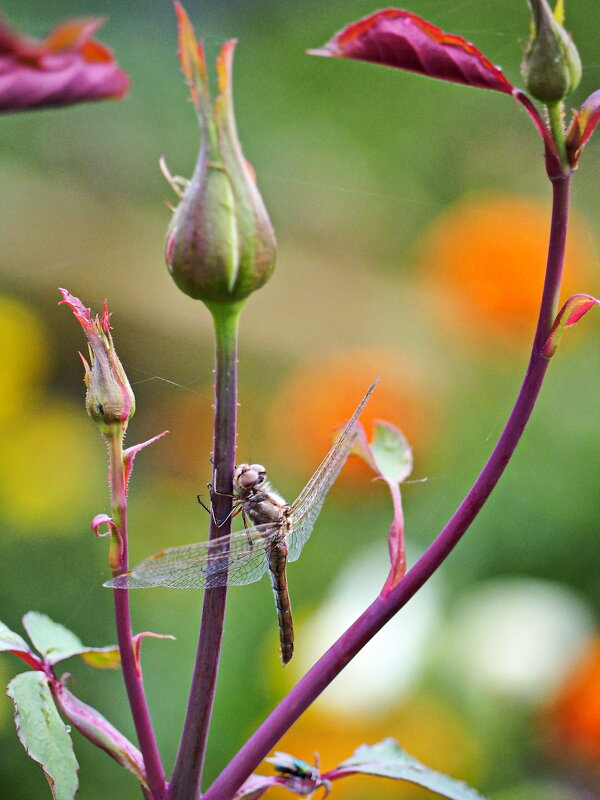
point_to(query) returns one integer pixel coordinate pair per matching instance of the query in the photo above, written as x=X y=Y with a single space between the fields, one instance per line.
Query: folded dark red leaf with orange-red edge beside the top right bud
x=400 y=39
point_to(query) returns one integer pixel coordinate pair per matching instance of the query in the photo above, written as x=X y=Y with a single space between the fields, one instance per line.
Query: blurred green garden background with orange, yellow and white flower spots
x=412 y=218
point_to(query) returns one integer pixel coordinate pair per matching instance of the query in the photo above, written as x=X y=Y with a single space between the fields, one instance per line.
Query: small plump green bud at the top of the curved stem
x=551 y=67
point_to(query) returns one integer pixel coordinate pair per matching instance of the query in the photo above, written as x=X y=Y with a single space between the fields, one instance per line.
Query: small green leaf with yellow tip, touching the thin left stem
x=56 y=643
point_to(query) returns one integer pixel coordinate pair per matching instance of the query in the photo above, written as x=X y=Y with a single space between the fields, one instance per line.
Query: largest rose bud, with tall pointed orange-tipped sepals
x=220 y=243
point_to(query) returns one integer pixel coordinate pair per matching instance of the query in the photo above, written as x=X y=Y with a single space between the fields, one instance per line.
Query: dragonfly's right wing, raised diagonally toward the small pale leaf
x=307 y=506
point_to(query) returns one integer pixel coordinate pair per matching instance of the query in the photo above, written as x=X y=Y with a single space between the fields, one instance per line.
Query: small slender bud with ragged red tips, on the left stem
x=110 y=401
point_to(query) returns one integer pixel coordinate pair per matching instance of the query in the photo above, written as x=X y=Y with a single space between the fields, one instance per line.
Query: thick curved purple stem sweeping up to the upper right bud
x=383 y=609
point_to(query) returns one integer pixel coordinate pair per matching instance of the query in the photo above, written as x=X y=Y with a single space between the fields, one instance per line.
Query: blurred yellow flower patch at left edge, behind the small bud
x=50 y=456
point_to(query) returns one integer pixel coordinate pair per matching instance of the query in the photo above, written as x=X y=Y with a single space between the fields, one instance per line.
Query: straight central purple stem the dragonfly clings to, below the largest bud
x=187 y=773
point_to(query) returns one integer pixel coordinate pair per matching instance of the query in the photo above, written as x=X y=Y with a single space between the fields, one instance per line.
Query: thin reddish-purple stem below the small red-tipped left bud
x=132 y=676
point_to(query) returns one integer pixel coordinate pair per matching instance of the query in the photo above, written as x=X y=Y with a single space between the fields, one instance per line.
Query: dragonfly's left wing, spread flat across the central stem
x=233 y=560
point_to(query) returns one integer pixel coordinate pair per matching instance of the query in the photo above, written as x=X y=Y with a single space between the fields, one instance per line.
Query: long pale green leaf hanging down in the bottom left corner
x=43 y=734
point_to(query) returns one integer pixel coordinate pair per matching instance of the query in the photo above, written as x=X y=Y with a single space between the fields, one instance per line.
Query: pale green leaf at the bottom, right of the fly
x=388 y=760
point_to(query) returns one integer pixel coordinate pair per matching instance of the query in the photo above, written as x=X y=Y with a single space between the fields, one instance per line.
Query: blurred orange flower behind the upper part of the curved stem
x=484 y=260
